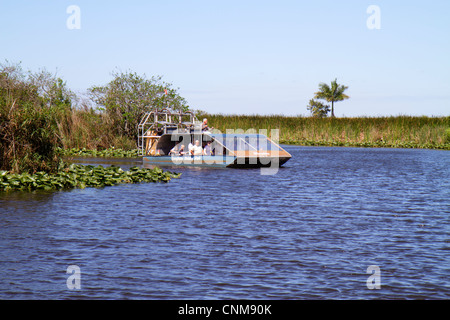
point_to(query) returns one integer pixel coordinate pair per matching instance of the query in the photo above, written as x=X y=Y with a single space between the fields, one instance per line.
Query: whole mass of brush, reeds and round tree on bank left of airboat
x=39 y=116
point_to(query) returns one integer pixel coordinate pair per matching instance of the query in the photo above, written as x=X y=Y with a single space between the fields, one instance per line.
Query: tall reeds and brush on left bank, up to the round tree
x=38 y=115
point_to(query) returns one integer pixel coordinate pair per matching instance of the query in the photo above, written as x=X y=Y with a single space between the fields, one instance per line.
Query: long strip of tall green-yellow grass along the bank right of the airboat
x=398 y=132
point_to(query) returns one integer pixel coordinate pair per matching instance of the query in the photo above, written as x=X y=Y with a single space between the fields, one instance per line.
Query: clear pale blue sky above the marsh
x=245 y=57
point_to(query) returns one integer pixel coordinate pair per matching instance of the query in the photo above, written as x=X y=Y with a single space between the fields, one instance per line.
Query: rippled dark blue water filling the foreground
x=308 y=232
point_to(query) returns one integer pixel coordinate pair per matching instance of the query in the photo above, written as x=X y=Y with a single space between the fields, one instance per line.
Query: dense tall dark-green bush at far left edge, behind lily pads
x=32 y=108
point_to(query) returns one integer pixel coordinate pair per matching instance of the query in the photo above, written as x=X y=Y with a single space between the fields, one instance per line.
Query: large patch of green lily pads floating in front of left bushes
x=78 y=176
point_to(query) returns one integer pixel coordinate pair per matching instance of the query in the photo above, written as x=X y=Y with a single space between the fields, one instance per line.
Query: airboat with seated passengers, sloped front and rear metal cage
x=169 y=138
